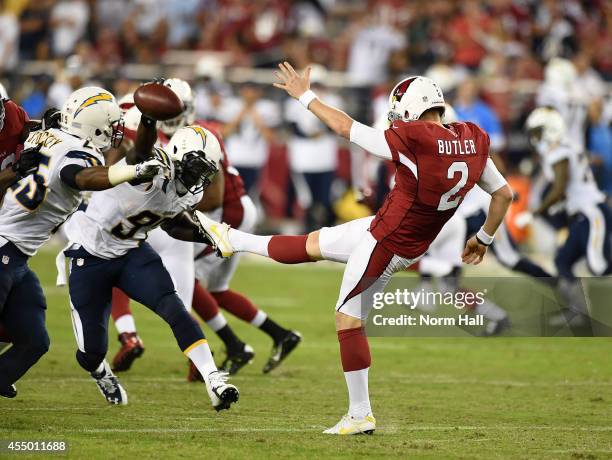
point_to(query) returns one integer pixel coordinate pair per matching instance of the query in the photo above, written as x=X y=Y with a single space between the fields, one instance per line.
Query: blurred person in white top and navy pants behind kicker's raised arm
x=313 y=156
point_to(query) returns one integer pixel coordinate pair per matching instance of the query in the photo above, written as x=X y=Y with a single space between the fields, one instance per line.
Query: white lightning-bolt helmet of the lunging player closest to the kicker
x=196 y=155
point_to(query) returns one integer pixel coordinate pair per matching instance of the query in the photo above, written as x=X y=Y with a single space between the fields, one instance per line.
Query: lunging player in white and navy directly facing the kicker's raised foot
x=108 y=249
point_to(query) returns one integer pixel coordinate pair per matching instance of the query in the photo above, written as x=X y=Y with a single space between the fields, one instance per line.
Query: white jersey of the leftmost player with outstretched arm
x=38 y=204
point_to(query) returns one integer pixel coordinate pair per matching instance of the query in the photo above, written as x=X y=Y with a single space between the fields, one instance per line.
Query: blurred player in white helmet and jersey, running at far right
x=566 y=166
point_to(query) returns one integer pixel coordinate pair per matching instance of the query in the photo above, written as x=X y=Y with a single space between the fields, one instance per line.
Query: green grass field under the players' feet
x=433 y=398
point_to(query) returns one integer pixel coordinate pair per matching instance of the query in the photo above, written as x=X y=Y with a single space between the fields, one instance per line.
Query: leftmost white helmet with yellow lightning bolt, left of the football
x=92 y=113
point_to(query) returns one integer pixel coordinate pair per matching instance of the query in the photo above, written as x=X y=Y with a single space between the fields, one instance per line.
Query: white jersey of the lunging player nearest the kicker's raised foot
x=119 y=219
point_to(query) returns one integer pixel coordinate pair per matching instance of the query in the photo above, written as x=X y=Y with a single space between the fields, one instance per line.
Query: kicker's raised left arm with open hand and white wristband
x=298 y=87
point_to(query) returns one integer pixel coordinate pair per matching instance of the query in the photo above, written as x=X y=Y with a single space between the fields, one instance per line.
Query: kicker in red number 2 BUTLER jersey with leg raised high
x=436 y=165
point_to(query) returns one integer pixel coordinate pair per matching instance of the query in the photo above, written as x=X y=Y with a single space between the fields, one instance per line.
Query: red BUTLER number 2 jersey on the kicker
x=435 y=167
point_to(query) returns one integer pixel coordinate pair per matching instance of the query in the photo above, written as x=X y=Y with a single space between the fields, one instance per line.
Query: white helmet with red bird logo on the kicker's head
x=413 y=96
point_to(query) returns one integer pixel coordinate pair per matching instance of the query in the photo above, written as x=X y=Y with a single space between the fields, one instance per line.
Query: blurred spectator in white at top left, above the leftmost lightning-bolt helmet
x=69 y=19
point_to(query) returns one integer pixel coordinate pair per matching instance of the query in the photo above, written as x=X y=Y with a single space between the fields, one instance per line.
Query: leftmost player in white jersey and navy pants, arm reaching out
x=71 y=160
